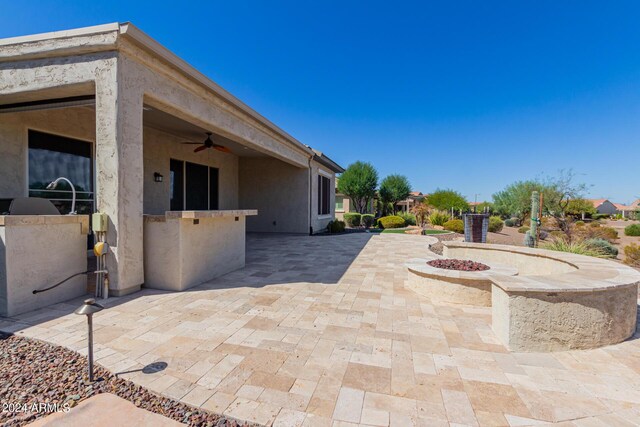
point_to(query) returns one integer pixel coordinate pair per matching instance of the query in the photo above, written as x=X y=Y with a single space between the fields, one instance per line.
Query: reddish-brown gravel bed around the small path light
x=35 y=372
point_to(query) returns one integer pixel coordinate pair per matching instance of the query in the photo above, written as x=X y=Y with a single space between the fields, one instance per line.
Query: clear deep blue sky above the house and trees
x=465 y=95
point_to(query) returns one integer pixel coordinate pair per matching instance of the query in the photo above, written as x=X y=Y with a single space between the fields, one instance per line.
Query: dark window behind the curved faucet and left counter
x=53 y=156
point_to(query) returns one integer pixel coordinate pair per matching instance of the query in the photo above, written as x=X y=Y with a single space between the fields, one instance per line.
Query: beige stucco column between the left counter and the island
x=119 y=175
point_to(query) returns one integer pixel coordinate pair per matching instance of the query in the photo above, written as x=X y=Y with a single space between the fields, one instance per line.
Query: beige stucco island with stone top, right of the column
x=185 y=248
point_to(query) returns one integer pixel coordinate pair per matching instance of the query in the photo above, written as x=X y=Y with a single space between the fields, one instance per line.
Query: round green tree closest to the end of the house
x=359 y=182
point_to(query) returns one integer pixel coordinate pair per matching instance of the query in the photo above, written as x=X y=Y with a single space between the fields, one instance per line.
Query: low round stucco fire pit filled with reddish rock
x=454 y=280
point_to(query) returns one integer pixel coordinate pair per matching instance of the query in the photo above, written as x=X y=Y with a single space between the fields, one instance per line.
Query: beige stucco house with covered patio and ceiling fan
x=110 y=109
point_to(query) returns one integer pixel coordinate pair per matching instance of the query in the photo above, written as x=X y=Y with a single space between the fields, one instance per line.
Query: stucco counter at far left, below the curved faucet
x=37 y=251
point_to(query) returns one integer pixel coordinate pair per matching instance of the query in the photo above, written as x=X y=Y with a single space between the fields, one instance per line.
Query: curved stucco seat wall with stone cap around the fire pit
x=558 y=301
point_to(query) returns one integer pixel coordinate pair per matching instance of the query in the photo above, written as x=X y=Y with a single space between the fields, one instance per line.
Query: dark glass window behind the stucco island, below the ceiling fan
x=193 y=187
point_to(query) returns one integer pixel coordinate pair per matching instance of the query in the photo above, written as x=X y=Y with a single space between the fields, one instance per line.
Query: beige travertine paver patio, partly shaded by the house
x=321 y=331
